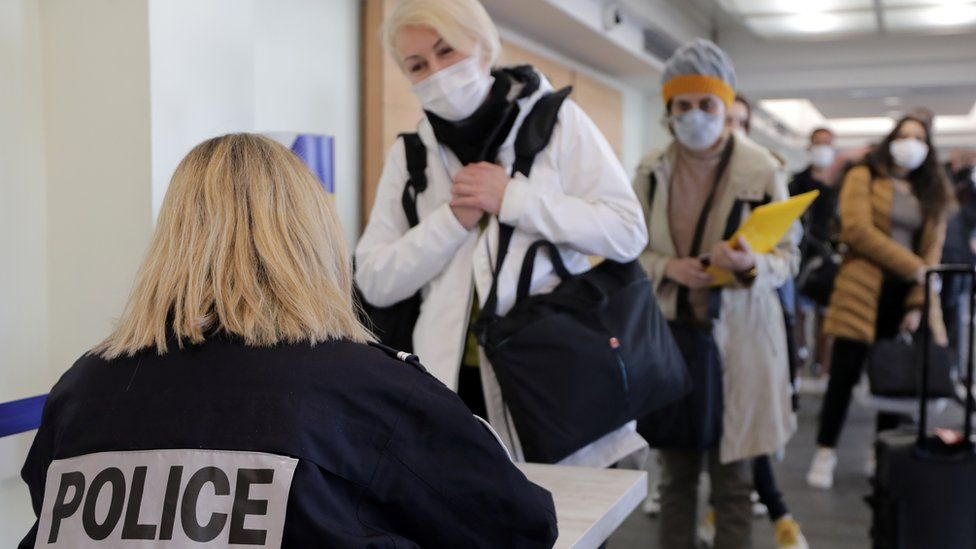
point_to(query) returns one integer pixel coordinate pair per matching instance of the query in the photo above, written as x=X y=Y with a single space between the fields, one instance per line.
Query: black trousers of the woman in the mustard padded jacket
x=847 y=364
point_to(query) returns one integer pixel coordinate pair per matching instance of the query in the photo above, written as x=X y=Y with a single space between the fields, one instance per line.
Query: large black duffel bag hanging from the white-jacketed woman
x=578 y=362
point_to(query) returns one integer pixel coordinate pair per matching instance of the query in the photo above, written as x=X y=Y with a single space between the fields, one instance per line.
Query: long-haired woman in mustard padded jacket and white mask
x=893 y=213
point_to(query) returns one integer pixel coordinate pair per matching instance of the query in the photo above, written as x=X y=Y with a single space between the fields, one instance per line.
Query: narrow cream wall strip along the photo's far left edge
x=24 y=366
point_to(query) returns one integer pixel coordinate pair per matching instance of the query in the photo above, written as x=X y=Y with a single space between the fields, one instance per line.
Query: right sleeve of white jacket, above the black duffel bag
x=587 y=203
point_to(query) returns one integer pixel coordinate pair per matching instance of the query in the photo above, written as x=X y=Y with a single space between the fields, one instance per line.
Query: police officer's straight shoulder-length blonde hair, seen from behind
x=247 y=243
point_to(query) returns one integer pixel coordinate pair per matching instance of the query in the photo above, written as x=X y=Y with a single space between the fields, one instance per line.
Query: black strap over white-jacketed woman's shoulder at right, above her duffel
x=533 y=137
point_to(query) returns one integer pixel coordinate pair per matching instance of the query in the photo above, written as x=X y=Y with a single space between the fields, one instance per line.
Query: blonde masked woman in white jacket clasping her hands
x=577 y=197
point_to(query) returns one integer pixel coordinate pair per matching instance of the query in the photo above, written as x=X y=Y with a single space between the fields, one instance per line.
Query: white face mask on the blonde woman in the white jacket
x=456 y=92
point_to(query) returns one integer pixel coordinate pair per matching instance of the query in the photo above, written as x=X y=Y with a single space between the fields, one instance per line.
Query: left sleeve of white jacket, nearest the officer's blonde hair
x=393 y=261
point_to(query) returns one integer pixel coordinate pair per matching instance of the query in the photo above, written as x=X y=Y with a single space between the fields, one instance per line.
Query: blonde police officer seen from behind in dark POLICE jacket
x=237 y=402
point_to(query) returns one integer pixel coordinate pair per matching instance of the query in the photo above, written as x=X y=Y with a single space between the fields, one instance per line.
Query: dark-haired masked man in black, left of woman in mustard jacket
x=818 y=224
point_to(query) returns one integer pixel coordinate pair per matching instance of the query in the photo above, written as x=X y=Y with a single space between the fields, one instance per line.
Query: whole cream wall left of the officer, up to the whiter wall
x=74 y=195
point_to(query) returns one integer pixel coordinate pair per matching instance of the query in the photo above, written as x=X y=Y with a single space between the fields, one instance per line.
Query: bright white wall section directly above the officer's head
x=256 y=65
